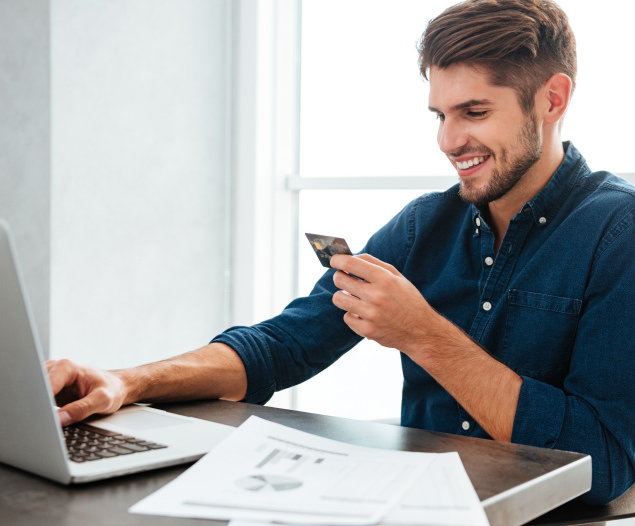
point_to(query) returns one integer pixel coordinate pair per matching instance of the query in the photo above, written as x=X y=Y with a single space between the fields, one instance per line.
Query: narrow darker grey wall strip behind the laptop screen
x=24 y=143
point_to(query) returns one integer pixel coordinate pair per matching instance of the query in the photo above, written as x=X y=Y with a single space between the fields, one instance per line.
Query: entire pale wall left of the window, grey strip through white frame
x=130 y=130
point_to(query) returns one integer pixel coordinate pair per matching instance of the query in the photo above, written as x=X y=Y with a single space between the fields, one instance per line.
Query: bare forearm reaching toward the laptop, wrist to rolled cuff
x=213 y=371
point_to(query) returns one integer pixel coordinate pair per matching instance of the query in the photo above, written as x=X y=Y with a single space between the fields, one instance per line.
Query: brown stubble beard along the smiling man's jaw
x=503 y=179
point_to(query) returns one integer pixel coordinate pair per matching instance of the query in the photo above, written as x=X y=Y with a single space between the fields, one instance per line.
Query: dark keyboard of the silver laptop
x=85 y=442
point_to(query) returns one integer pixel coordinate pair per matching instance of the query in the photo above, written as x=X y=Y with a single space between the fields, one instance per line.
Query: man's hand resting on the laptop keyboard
x=81 y=391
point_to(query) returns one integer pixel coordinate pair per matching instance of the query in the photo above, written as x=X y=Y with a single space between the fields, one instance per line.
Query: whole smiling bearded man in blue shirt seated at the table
x=510 y=296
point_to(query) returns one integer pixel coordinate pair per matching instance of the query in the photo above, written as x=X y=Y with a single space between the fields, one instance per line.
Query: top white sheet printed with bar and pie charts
x=268 y=472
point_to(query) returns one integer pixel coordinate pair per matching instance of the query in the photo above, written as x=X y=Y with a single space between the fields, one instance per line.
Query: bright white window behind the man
x=367 y=147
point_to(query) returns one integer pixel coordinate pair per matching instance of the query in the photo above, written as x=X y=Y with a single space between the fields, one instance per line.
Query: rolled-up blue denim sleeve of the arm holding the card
x=593 y=411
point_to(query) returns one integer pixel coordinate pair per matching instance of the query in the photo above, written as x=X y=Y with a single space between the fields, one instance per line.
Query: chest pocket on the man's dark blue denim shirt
x=539 y=334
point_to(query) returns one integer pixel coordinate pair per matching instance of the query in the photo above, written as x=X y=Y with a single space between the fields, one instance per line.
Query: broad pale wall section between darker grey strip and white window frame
x=141 y=108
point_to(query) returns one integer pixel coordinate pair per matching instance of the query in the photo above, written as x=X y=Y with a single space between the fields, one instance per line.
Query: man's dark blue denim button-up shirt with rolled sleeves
x=556 y=304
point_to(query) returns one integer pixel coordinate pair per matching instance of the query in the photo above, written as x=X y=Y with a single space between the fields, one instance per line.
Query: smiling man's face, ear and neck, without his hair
x=524 y=145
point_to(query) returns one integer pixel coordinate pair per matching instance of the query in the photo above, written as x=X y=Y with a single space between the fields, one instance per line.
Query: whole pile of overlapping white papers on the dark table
x=265 y=472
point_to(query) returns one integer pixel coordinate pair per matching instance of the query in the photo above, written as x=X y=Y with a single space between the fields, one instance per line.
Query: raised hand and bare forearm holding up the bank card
x=385 y=307
